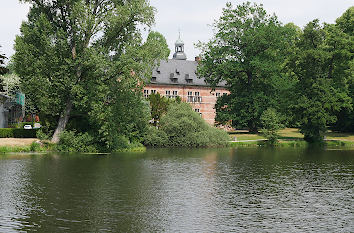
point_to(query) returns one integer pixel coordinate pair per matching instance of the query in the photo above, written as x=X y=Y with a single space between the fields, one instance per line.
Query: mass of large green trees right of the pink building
x=305 y=75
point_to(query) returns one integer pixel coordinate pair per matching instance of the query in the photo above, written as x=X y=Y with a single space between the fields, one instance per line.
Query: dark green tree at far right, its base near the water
x=321 y=90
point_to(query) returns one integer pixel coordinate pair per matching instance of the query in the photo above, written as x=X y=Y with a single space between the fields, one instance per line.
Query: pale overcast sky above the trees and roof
x=192 y=17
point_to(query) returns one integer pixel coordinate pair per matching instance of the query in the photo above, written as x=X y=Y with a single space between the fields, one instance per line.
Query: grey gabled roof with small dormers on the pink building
x=178 y=72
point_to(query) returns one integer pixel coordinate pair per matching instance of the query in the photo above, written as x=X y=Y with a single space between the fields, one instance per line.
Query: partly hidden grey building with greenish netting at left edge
x=10 y=109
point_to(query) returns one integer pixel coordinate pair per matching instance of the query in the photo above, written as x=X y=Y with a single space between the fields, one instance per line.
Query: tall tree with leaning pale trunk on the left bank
x=79 y=56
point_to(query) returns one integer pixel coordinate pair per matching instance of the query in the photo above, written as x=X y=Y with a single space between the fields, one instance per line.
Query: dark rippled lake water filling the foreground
x=237 y=190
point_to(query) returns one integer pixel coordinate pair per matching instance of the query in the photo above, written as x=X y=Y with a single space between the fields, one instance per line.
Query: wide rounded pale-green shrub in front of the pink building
x=182 y=127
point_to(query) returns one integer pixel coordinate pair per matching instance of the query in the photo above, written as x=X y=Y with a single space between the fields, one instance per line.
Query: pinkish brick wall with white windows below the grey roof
x=205 y=103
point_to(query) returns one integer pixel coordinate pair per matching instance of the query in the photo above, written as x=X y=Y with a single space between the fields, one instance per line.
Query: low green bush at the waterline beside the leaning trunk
x=70 y=141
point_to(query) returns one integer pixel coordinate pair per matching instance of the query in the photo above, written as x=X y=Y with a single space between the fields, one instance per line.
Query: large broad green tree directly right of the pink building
x=247 y=51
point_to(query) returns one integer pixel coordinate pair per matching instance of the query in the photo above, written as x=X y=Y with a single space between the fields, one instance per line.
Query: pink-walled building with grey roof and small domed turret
x=178 y=77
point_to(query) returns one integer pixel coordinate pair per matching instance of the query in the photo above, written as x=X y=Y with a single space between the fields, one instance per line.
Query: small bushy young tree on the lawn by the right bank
x=271 y=126
